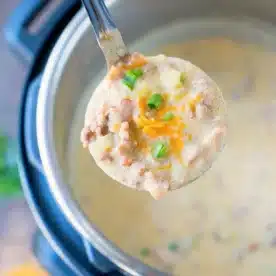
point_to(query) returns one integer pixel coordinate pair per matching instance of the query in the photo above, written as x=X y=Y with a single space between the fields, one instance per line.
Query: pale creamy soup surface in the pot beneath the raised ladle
x=225 y=223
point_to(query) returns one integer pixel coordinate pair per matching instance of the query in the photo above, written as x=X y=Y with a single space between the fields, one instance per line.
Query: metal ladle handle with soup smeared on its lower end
x=108 y=36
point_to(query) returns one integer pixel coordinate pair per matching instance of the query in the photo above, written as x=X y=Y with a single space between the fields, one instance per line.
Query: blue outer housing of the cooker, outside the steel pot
x=60 y=249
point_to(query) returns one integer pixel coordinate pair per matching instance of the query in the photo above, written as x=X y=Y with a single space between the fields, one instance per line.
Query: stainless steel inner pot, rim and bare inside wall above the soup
x=76 y=59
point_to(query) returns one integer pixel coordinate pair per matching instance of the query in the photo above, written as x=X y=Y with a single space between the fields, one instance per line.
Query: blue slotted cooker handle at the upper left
x=32 y=23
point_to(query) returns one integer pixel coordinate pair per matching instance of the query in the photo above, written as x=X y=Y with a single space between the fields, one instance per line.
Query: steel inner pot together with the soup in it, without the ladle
x=225 y=223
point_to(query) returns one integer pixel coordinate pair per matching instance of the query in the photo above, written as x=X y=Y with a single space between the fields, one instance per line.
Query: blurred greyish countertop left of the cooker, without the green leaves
x=17 y=224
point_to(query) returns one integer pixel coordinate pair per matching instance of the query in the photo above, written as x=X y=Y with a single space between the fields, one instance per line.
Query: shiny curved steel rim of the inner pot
x=44 y=118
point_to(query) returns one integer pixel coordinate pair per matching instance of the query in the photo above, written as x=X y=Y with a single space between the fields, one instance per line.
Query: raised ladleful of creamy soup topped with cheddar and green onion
x=157 y=126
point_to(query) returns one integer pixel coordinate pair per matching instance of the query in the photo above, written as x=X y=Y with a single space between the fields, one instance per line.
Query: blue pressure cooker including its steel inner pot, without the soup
x=62 y=56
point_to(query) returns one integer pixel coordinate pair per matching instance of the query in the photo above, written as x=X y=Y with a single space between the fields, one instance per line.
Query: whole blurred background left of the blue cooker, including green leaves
x=16 y=222
